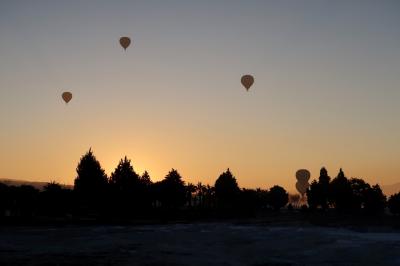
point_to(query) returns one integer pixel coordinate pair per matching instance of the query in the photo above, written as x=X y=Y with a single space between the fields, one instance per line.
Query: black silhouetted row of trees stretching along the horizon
x=126 y=194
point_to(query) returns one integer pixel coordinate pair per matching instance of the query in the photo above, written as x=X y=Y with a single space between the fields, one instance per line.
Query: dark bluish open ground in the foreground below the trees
x=197 y=244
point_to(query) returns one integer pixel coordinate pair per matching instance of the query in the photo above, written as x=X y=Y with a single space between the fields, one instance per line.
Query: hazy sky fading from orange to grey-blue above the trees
x=326 y=91
